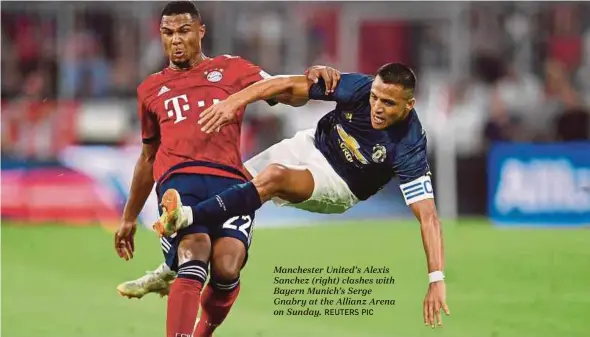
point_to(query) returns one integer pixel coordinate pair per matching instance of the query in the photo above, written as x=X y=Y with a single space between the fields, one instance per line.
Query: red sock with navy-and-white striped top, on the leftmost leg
x=184 y=300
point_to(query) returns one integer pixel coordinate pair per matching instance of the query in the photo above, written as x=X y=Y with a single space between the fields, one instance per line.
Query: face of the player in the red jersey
x=181 y=38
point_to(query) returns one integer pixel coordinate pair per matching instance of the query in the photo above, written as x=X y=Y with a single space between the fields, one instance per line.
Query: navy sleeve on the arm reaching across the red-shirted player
x=351 y=88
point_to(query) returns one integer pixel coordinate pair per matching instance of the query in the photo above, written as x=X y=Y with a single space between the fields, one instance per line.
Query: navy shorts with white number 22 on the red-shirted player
x=194 y=188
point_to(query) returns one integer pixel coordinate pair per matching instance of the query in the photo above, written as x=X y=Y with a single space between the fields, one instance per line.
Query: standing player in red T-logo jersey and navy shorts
x=178 y=155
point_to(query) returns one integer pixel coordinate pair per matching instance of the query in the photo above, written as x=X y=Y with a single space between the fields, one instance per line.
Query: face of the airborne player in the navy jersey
x=390 y=103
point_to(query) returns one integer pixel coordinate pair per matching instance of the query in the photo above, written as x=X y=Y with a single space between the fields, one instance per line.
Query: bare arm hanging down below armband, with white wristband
x=430 y=226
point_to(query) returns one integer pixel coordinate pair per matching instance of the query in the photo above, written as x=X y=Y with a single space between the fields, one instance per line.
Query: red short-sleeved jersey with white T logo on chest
x=169 y=104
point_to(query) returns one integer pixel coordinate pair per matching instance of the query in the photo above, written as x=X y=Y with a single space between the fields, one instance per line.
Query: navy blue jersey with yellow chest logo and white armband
x=366 y=158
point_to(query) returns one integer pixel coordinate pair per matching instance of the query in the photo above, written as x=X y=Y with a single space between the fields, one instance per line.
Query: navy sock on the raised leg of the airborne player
x=237 y=200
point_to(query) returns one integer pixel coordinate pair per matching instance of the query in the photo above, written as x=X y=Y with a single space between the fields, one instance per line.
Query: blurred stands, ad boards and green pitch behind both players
x=504 y=95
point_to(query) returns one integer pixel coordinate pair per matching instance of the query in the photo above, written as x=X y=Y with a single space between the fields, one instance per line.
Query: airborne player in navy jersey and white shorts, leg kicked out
x=372 y=135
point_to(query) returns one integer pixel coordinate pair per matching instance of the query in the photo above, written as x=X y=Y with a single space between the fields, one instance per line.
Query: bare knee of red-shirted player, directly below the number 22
x=228 y=258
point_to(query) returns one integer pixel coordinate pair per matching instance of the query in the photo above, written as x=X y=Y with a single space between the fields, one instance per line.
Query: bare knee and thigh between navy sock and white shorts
x=292 y=184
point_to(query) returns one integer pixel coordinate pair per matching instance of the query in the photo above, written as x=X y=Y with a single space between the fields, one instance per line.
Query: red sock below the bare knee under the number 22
x=216 y=304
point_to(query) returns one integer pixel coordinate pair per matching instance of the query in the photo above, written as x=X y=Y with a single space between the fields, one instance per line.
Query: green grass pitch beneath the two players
x=60 y=282
